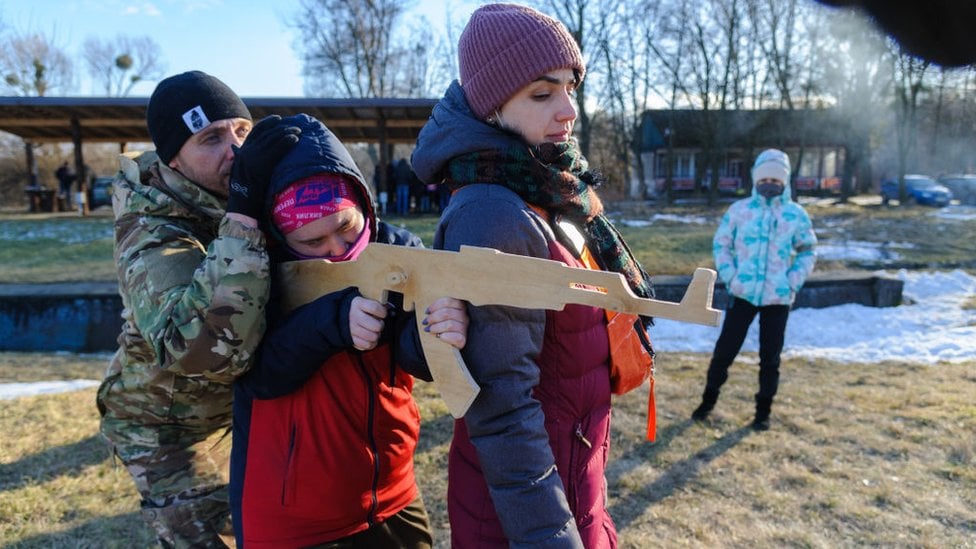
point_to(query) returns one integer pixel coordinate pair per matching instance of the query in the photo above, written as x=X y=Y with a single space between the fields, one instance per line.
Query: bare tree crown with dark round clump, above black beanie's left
x=117 y=65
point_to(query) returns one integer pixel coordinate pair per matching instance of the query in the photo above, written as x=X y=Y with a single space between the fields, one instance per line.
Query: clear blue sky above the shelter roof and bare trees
x=246 y=43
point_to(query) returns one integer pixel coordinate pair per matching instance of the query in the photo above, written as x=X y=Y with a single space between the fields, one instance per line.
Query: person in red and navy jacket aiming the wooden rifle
x=325 y=424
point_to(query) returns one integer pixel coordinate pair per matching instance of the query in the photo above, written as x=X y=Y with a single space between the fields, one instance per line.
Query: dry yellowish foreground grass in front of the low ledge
x=859 y=455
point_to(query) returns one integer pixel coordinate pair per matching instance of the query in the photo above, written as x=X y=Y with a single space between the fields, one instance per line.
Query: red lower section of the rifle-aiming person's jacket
x=356 y=418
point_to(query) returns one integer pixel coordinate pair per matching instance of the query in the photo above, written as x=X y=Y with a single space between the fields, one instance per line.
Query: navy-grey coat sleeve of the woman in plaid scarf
x=502 y=346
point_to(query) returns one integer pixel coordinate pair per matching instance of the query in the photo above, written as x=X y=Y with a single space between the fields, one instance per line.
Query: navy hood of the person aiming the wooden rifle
x=318 y=150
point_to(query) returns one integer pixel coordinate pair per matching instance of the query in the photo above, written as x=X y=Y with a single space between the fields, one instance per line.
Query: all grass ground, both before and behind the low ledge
x=880 y=455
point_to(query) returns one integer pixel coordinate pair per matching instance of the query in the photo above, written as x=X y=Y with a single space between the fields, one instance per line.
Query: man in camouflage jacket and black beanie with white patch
x=194 y=280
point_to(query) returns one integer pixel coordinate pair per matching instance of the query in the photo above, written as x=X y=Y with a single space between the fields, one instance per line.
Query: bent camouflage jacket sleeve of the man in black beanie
x=202 y=309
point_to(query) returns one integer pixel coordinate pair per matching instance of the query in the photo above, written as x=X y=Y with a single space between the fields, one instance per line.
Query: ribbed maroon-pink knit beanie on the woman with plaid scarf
x=506 y=46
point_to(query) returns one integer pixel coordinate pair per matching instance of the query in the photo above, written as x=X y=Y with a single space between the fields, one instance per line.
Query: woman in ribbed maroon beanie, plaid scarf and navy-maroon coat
x=527 y=462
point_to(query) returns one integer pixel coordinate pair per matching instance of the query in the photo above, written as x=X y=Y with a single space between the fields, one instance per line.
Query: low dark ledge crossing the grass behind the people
x=86 y=317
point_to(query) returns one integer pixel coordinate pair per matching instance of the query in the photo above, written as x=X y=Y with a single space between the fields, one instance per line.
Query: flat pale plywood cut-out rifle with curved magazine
x=480 y=276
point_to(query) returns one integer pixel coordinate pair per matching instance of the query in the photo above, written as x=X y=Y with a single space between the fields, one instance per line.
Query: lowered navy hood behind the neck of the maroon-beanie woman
x=453 y=130
